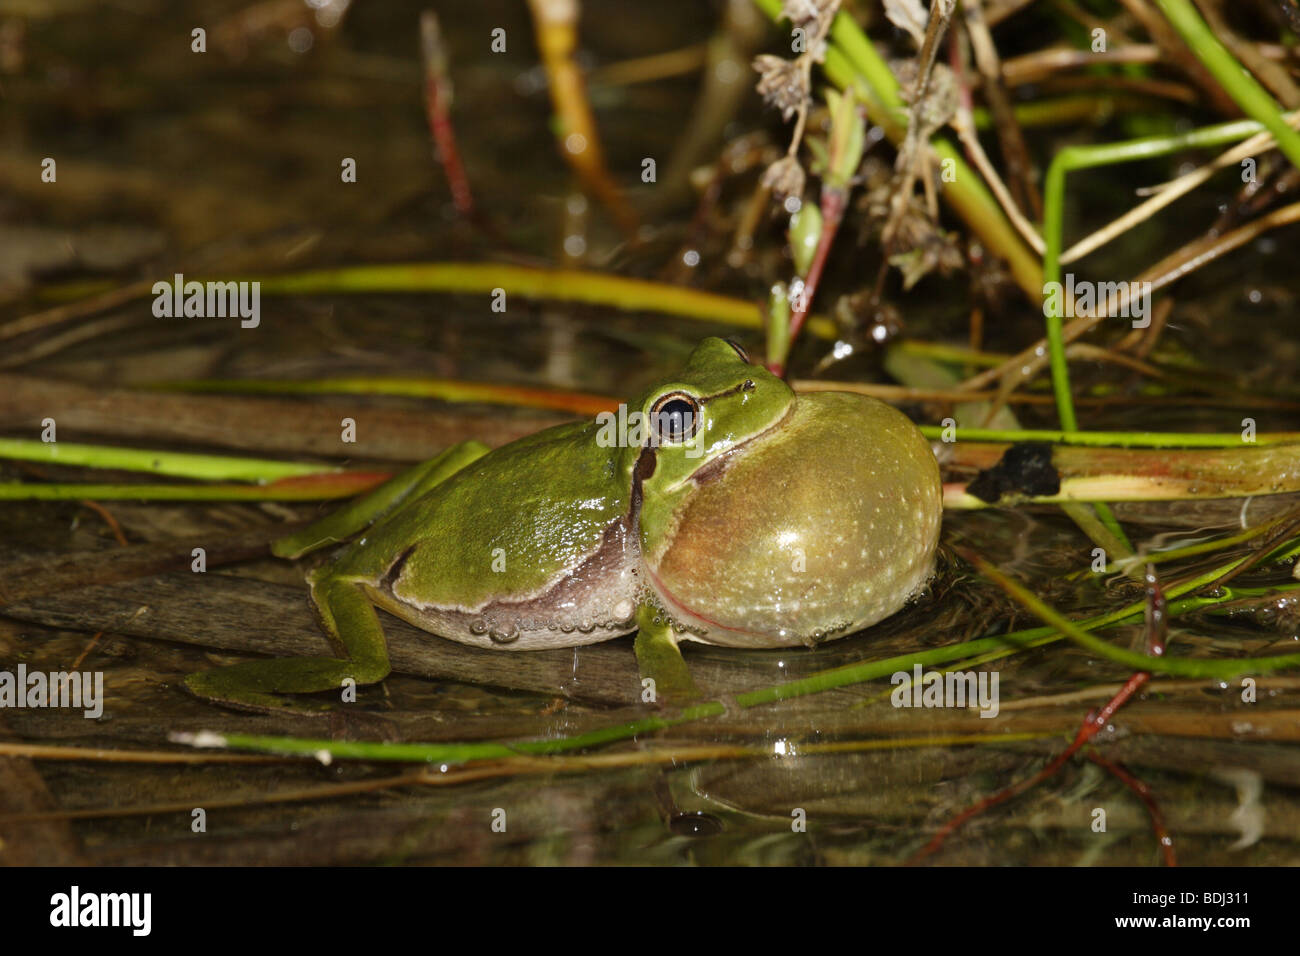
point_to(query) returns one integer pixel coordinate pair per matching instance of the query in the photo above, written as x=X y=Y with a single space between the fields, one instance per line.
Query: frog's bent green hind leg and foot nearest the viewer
x=352 y=622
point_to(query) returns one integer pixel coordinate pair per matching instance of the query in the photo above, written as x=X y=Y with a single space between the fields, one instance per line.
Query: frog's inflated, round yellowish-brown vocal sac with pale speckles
x=830 y=530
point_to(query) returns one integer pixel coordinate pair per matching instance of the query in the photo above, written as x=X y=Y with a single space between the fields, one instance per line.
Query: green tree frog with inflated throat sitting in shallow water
x=720 y=508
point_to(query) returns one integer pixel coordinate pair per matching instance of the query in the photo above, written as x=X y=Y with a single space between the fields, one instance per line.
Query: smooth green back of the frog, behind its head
x=508 y=524
